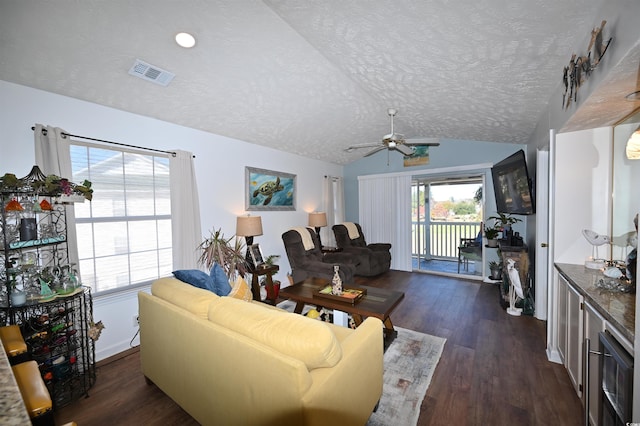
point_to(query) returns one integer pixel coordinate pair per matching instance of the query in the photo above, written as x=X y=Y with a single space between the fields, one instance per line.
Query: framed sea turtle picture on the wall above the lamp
x=269 y=190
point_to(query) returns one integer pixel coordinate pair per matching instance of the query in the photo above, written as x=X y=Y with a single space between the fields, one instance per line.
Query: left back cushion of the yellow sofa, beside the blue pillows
x=190 y=298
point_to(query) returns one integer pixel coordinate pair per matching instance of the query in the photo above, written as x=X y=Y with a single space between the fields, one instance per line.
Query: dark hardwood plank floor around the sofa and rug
x=493 y=370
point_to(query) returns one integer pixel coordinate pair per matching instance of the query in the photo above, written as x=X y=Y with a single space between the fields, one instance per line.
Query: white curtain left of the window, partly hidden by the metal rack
x=53 y=158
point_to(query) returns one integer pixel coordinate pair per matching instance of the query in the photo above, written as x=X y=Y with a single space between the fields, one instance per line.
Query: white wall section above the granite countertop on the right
x=582 y=192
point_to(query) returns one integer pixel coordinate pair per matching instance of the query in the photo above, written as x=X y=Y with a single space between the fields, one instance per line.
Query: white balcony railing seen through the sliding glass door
x=440 y=240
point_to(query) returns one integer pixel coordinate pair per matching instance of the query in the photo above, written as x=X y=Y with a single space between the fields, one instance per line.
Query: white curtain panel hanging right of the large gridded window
x=185 y=211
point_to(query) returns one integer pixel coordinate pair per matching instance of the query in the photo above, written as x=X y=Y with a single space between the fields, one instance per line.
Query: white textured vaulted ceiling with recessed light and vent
x=308 y=77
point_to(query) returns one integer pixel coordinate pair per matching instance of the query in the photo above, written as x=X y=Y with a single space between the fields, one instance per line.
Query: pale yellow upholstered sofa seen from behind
x=230 y=362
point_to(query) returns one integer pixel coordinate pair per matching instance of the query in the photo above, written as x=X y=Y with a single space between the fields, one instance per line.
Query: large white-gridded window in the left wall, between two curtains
x=124 y=233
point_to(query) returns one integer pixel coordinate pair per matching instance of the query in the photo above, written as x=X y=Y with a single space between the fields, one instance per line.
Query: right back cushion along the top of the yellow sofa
x=310 y=341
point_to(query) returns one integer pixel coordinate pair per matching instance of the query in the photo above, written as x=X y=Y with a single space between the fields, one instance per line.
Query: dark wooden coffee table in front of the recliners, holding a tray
x=377 y=303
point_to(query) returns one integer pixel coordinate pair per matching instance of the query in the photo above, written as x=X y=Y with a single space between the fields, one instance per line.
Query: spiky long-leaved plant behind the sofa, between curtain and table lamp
x=219 y=249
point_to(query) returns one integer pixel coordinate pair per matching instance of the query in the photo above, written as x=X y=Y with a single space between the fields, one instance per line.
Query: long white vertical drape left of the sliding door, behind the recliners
x=385 y=215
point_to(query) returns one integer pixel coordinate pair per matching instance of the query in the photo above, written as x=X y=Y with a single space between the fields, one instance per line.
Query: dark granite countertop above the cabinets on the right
x=617 y=308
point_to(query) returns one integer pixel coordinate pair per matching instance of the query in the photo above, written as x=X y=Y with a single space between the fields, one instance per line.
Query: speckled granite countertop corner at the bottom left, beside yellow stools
x=12 y=409
